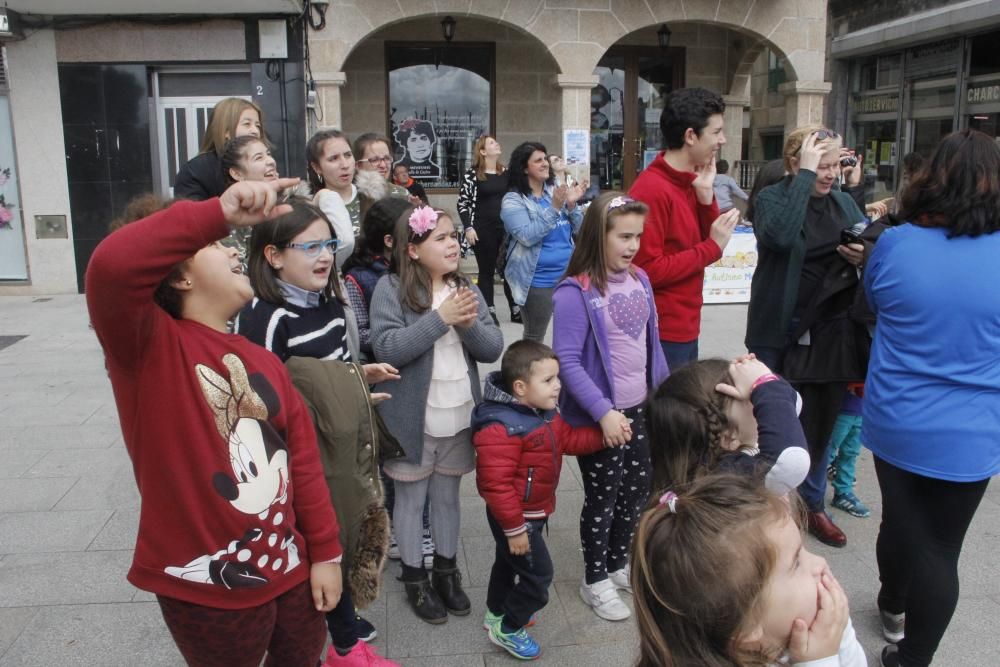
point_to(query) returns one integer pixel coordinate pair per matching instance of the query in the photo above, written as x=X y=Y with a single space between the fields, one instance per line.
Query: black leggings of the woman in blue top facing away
x=924 y=521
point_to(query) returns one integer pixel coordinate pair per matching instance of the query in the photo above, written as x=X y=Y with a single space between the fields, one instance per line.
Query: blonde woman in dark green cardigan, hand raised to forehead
x=799 y=223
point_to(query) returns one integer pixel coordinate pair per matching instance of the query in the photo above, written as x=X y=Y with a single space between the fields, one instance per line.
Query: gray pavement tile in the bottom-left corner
x=95 y=634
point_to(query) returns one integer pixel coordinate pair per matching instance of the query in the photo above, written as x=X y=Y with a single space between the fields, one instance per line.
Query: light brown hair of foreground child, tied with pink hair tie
x=697 y=604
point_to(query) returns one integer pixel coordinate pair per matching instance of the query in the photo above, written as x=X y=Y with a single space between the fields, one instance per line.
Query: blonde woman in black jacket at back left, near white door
x=202 y=177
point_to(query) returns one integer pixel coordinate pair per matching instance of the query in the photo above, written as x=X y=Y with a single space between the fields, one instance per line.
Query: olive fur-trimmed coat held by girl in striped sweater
x=352 y=440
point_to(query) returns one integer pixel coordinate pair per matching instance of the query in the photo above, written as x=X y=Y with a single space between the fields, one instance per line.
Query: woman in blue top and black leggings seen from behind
x=932 y=404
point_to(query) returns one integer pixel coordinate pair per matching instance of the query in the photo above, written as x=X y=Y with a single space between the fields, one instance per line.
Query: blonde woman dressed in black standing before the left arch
x=482 y=190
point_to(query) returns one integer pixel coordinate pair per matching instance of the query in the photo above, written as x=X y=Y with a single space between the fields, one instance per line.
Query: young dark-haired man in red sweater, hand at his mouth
x=684 y=232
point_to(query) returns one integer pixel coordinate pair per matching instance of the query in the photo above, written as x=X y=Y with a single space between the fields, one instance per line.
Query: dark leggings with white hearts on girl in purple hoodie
x=616 y=485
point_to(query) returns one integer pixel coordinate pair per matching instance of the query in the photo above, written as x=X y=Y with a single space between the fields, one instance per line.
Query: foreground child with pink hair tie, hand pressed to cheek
x=720 y=577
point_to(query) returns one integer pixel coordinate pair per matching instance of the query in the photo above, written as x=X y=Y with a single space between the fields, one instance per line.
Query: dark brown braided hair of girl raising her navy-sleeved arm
x=687 y=420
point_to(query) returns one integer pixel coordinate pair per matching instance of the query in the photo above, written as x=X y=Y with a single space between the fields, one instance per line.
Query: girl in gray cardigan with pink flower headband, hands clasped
x=432 y=324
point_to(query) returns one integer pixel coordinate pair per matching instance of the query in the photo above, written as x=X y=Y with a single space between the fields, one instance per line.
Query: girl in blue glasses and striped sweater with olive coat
x=300 y=311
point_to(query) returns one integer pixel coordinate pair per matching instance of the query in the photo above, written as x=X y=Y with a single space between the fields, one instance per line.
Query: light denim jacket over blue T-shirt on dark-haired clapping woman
x=528 y=222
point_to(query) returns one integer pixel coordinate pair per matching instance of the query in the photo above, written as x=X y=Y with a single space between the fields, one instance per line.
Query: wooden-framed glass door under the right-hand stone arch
x=625 y=111
